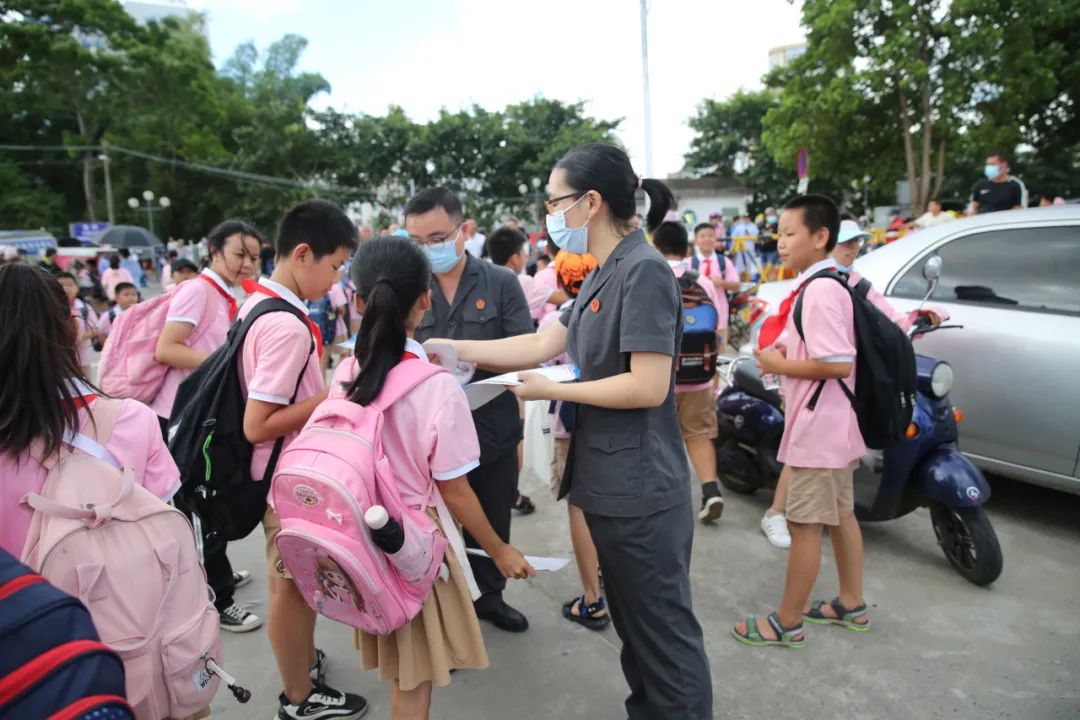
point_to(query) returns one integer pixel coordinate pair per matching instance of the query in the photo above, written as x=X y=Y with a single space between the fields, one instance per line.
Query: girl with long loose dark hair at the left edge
x=45 y=396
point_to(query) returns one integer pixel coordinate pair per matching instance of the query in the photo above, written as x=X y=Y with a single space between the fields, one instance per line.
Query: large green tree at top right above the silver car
x=892 y=88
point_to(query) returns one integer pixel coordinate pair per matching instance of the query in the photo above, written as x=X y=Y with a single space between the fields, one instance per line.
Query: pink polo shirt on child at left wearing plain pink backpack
x=200 y=306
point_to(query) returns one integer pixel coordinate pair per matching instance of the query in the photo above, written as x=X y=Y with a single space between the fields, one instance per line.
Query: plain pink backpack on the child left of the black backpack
x=128 y=368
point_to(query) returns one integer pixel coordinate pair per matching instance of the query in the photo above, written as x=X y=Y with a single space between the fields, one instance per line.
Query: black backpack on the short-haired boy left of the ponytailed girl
x=207 y=440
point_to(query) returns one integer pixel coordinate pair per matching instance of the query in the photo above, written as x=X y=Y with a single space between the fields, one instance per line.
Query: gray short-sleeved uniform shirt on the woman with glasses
x=627 y=464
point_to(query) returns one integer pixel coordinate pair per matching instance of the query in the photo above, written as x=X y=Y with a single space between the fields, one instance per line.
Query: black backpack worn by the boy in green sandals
x=884 y=398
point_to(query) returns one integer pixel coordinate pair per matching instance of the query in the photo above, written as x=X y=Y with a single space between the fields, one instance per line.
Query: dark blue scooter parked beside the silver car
x=924 y=470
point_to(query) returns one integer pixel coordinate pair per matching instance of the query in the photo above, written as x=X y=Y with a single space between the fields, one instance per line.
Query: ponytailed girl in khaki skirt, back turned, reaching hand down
x=430 y=441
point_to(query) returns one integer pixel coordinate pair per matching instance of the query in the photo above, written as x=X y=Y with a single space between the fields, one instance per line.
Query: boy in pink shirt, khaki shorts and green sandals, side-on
x=821 y=447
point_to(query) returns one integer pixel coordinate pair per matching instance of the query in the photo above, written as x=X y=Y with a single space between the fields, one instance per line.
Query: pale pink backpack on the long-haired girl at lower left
x=132 y=561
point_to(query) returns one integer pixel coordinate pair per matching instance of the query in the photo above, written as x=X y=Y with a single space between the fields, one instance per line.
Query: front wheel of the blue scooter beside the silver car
x=969 y=542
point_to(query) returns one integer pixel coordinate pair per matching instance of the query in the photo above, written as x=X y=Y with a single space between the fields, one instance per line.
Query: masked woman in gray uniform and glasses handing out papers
x=627 y=469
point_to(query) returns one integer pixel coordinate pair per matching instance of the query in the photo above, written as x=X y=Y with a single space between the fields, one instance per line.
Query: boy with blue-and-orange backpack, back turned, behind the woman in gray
x=696 y=403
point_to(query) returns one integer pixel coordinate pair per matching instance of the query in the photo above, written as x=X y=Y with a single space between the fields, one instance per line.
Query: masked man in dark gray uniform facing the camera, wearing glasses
x=476 y=301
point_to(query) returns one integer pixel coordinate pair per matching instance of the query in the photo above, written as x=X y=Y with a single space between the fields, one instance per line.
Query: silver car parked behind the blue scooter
x=1012 y=280
